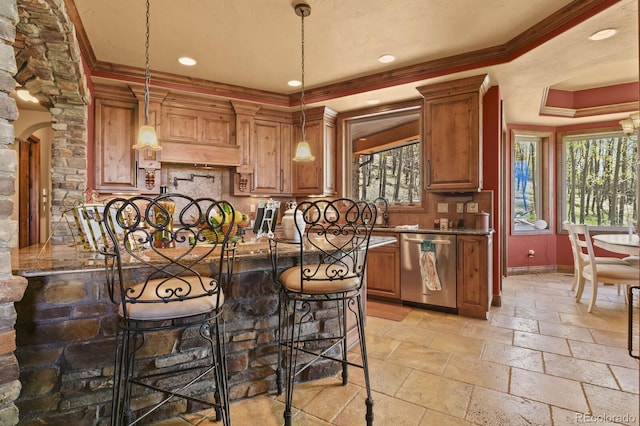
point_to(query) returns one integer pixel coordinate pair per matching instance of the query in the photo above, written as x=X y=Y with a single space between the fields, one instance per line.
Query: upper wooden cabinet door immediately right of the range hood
x=271 y=158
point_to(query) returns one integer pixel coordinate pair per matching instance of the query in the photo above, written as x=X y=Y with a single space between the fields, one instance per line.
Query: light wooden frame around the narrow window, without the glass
x=544 y=175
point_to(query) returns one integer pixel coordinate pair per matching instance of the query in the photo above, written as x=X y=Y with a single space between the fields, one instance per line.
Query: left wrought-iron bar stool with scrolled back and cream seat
x=167 y=266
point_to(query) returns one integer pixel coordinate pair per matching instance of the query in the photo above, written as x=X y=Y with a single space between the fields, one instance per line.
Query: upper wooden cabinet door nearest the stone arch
x=115 y=134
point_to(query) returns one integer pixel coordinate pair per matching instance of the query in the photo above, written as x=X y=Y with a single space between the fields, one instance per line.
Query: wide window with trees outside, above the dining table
x=599 y=179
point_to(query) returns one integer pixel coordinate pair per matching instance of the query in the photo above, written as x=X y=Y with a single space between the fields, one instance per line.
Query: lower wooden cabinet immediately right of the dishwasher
x=474 y=275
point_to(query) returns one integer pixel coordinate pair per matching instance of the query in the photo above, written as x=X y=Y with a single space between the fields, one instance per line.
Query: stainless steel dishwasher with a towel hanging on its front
x=412 y=289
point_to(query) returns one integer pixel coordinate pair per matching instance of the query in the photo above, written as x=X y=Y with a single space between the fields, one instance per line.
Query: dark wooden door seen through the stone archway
x=29 y=193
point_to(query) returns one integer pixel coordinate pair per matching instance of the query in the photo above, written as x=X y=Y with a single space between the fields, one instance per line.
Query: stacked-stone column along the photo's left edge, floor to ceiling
x=11 y=287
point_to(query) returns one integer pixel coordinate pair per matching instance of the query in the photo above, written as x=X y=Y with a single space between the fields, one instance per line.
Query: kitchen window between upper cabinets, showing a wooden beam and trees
x=386 y=155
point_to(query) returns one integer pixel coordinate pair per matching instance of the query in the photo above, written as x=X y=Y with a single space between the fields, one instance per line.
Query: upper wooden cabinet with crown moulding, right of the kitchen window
x=453 y=134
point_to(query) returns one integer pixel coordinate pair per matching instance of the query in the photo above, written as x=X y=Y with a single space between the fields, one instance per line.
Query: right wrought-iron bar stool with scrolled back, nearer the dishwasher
x=328 y=276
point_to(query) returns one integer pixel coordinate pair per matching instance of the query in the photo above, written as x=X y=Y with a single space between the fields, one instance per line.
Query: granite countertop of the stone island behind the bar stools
x=38 y=260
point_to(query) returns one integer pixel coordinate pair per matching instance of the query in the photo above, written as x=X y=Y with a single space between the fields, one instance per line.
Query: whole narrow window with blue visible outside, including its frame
x=529 y=182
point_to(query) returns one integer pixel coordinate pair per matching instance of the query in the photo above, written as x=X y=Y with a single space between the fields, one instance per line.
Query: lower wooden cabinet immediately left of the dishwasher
x=383 y=271
